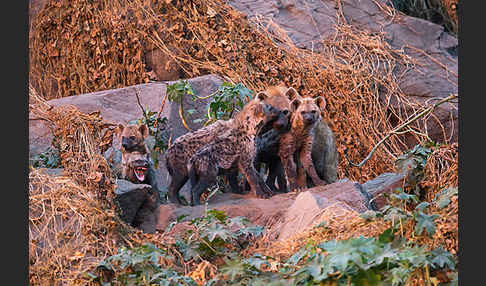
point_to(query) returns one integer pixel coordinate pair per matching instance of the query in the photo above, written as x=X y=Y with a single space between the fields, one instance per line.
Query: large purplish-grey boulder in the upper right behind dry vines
x=307 y=23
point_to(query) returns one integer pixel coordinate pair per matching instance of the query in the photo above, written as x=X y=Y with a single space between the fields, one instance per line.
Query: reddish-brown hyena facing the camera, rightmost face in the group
x=296 y=145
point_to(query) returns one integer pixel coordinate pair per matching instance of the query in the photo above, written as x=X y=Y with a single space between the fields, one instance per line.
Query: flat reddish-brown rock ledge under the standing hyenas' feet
x=283 y=214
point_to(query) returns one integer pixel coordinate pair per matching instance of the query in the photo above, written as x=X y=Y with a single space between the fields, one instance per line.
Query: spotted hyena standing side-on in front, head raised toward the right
x=233 y=149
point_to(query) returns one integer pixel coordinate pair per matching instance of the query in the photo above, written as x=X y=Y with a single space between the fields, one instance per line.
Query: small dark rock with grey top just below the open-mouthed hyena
x=136 y=205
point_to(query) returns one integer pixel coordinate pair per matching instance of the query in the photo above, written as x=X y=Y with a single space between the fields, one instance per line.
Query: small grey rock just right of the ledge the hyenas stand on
x=383 y=184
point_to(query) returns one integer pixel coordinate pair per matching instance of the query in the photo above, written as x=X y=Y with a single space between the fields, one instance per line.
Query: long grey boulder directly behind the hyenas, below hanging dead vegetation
x=121 y=106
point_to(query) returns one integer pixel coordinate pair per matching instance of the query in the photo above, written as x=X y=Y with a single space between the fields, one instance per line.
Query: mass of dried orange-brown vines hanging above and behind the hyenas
x=73 y=53
